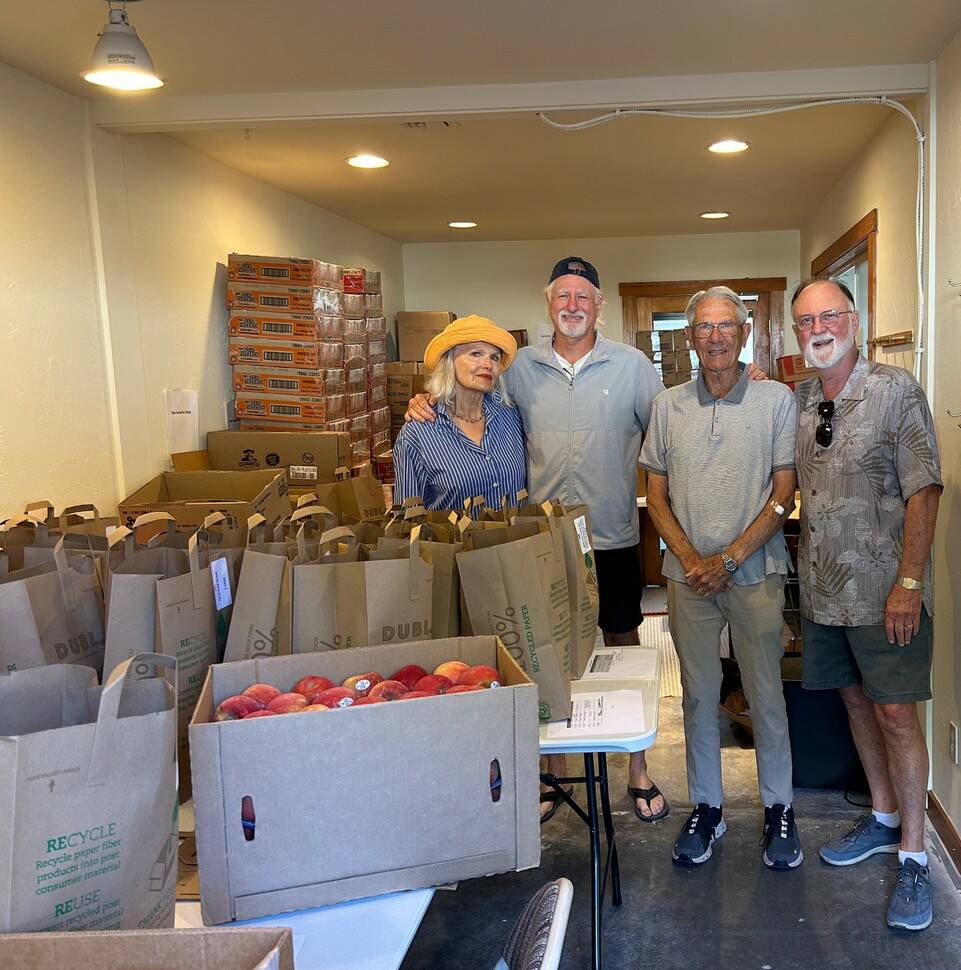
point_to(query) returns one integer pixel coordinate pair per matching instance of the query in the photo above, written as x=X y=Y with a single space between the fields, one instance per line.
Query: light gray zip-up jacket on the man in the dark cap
x=584 y=435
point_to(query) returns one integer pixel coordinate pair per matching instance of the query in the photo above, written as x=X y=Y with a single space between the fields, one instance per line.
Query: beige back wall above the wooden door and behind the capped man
x=505 y=280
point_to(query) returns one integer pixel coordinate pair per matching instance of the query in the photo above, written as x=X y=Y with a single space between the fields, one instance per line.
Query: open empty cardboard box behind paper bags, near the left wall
x=191 y=496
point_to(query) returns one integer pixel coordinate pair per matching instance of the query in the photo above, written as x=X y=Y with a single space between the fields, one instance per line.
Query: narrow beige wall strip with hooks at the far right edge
x=946 y=302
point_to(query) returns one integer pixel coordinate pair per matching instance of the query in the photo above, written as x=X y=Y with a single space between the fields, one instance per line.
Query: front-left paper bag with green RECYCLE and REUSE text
x=88 y=795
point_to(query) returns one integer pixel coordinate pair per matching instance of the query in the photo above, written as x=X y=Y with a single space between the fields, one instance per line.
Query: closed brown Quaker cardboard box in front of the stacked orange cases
x=307 y=457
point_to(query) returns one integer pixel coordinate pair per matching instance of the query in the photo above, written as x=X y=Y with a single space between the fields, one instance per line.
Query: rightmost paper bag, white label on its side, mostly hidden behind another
x=574 y=523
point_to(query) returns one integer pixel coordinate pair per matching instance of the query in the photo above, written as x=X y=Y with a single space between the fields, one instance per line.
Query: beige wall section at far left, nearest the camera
x=54 y=428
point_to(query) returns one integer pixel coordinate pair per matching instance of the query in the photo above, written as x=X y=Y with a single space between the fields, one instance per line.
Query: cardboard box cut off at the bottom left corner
x=240 y=948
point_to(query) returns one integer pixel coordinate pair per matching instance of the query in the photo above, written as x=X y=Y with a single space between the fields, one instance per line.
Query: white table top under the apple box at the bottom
x=366 y=934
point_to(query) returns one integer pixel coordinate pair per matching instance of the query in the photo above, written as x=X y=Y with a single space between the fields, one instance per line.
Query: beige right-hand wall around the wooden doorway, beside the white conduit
x=884 y=178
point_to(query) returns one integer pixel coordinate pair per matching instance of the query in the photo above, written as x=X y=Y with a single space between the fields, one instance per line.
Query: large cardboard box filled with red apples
x=340 y=791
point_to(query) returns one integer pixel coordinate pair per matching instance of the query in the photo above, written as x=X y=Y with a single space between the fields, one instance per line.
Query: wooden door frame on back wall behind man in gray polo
x=768 y=321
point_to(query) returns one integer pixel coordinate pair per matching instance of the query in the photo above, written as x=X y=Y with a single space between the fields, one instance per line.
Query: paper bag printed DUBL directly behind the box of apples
x=338 y=605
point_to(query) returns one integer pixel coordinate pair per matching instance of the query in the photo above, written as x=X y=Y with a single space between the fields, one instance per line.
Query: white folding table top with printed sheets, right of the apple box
x=644 y=675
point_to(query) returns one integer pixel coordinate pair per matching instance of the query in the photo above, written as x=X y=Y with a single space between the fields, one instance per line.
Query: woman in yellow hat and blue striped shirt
x=476 y=445
